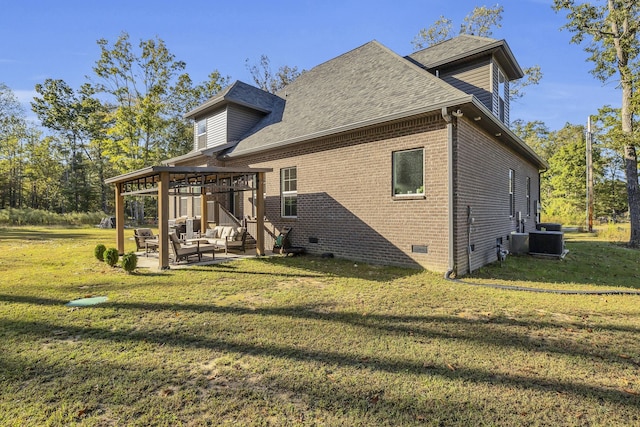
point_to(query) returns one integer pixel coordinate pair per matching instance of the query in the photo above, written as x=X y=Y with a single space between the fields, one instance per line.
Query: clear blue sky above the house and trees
x=57 y=39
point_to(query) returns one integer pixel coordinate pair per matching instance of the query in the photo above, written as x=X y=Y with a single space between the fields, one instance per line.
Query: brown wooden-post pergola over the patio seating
x=161 y=181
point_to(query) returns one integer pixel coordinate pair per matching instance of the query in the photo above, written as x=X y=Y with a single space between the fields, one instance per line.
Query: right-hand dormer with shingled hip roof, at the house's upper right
x=479 y=66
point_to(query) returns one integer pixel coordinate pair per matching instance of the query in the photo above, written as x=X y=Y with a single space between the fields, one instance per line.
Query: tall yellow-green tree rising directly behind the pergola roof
x=147 y=94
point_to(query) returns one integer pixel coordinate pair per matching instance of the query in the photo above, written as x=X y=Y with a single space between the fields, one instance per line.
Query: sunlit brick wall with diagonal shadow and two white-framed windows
x=345 y=196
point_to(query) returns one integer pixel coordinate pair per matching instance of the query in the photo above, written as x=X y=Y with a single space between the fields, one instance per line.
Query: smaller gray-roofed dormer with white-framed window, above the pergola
x=230 y=115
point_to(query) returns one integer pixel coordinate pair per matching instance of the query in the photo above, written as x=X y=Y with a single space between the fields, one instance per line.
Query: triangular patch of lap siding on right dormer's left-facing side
x=474 y=79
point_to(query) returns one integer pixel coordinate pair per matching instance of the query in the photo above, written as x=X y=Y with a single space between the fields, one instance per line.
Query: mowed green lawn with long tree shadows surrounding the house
x=310 y=341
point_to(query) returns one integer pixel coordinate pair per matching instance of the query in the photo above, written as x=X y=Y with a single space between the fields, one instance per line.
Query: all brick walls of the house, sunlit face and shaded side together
x=345 y=200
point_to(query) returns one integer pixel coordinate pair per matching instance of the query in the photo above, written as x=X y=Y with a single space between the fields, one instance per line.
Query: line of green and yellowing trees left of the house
x=127 y=115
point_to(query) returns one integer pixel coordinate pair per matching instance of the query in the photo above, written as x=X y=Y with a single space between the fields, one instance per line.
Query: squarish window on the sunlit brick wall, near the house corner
x=408 y=172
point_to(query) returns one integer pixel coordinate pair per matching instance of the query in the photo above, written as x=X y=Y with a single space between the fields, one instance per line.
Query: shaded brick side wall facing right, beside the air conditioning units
x=482 y=182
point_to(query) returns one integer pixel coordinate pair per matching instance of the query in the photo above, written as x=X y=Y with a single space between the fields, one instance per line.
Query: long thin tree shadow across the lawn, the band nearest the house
x=482 y=331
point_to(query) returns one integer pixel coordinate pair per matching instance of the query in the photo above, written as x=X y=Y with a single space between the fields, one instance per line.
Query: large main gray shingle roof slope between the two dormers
x=365 y=85
